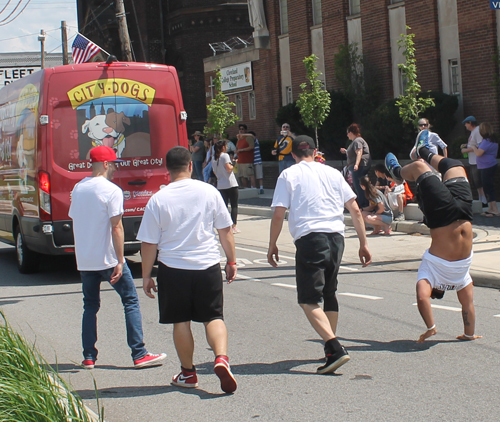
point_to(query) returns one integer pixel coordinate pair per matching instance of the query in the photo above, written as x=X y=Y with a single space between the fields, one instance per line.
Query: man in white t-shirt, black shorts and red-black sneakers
x=179 y=223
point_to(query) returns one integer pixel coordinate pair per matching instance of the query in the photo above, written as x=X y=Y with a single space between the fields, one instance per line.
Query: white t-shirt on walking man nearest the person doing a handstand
x=315 y=194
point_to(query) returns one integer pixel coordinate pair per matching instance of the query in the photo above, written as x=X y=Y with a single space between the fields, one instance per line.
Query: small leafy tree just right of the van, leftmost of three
x=220 y=113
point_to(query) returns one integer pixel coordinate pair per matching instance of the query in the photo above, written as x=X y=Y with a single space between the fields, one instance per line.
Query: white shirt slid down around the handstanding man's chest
x=445 y=275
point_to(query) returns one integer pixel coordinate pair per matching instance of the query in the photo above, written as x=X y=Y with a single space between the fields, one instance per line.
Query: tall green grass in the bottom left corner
x=30 y=391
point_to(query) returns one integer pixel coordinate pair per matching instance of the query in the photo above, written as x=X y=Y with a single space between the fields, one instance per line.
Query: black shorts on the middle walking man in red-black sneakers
x=189 y=295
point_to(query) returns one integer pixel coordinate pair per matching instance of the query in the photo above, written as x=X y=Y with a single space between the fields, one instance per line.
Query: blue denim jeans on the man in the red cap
x=125 y=287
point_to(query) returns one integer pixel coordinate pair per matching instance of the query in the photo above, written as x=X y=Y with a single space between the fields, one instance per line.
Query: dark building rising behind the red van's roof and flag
x=173 y=32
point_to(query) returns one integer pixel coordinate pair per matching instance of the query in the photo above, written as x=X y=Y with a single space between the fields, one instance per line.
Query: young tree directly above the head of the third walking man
x=313 y=102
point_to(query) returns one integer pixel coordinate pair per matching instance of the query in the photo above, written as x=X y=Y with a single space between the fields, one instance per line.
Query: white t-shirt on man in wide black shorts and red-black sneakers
x=181 y=218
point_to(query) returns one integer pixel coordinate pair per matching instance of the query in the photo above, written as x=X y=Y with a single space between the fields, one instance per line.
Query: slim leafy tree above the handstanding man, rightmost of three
x=410 y=104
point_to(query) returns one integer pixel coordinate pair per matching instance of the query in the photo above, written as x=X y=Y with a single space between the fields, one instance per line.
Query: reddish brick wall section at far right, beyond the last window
x=477 y=33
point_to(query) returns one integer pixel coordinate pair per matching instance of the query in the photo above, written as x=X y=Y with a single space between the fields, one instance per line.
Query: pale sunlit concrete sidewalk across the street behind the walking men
x=387 y=250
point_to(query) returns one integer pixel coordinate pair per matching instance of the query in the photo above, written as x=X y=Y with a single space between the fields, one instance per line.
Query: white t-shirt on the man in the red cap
x=94 y=201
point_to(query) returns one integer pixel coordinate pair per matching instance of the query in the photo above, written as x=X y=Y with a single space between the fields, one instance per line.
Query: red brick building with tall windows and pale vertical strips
x=456 y=42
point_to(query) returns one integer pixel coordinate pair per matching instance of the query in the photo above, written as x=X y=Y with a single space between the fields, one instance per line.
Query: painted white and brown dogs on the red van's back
x=109 y=130
